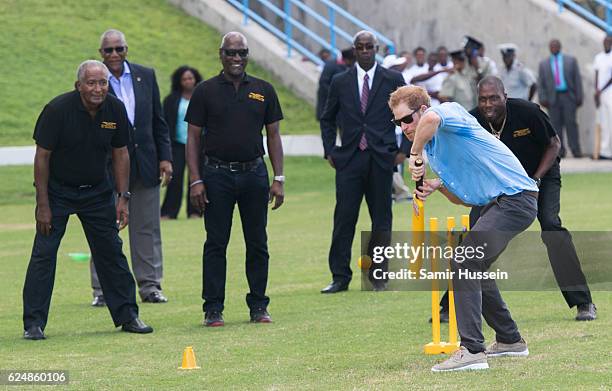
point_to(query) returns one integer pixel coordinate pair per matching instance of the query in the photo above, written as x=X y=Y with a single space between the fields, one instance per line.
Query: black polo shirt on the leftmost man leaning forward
x=80 y=144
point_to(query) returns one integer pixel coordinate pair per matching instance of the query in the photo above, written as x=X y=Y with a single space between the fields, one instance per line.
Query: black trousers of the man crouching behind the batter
x=558 y=241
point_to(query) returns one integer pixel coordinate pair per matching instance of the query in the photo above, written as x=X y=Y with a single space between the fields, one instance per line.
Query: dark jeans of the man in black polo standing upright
x=250 y=191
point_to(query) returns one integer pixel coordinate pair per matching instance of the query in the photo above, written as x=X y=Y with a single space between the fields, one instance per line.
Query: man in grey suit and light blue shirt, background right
x=560 y=91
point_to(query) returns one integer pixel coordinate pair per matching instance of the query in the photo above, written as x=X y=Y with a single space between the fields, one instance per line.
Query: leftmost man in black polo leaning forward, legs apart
x=76 y=135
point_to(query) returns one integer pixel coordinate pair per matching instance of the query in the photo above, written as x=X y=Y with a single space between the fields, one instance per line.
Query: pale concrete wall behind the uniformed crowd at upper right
x=528 y=23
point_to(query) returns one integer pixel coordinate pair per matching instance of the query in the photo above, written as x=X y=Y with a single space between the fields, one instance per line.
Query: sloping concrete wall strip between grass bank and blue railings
x=268 y=51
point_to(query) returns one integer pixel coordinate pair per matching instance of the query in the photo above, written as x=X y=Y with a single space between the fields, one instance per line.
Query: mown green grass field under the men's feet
x=354 y=340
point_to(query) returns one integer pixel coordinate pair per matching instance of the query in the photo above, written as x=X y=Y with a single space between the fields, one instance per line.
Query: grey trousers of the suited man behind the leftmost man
x=145 y=240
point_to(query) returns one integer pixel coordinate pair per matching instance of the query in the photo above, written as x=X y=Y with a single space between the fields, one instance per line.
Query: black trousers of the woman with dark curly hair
x=174 y=193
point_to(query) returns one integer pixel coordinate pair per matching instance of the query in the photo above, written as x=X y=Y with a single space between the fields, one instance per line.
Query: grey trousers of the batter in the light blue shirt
x=500 y=221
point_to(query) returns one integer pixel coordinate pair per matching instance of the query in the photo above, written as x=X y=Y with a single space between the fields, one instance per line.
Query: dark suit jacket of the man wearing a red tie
x=343 y=110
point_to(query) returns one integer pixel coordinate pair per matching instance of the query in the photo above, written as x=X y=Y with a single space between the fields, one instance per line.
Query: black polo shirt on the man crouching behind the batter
x=527 y=133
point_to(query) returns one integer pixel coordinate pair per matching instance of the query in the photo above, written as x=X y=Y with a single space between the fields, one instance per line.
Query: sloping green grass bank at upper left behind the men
x=43 y=42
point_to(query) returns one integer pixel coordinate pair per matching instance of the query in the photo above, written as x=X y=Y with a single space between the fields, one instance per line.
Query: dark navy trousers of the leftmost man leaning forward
x=95 y=207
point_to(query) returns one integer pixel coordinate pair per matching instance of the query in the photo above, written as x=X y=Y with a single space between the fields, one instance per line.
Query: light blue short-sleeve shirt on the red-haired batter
x=471 y=162
